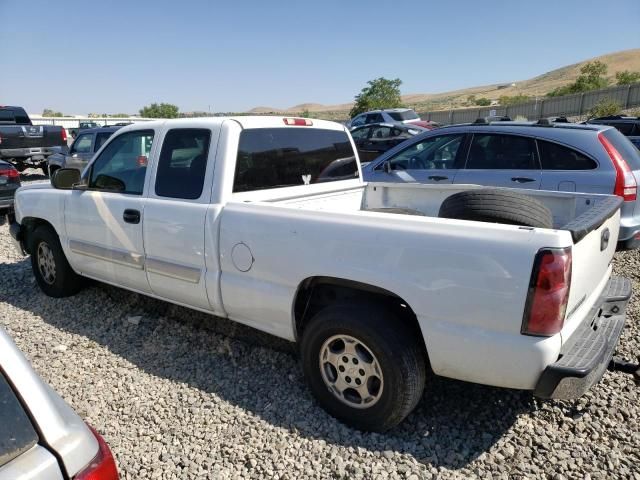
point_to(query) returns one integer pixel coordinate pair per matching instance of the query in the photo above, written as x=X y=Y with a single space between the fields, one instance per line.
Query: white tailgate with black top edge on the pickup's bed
x=595 y=237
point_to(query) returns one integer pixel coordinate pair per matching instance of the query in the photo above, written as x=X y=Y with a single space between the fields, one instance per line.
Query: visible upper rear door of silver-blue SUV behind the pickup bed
x=501 y=160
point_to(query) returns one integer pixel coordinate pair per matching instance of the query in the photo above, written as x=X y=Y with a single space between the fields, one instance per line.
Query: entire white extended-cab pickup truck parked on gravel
x=264 y=220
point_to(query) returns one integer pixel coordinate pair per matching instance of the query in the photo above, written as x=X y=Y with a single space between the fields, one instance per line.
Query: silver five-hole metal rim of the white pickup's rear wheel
x=351 y=371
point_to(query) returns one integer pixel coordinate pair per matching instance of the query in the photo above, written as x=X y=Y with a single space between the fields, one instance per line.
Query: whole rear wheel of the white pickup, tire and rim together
x=363 y=364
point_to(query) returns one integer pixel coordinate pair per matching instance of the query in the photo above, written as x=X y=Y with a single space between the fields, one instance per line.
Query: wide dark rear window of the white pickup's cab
x=285 y=157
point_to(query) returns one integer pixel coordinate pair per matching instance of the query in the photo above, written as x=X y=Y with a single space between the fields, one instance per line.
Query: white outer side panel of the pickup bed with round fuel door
x=466 y=281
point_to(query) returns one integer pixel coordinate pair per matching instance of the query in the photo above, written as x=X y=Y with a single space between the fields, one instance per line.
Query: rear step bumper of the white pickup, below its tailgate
x=585 y=357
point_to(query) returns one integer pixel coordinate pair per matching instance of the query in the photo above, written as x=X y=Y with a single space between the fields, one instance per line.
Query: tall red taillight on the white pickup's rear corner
x=548 y=292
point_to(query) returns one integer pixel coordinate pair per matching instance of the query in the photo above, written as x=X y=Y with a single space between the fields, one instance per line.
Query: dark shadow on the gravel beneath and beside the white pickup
x=454 y=423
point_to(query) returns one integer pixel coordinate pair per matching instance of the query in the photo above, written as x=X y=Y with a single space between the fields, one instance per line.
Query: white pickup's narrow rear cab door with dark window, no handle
x=176 y=215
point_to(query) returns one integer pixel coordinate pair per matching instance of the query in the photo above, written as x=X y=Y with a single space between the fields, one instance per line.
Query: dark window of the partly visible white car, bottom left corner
x=17 y=434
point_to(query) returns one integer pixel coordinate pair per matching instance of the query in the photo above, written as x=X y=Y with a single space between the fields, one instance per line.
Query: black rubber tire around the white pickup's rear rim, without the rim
x=394 y=346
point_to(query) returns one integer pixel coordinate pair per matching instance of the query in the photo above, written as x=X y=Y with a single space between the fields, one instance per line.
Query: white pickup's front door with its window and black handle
x=104 y=222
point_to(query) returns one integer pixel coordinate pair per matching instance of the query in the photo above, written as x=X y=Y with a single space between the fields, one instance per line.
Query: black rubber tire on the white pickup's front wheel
x=64 y=282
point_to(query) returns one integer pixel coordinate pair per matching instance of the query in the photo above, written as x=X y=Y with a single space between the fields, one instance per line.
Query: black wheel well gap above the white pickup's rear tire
x=317 y=292
